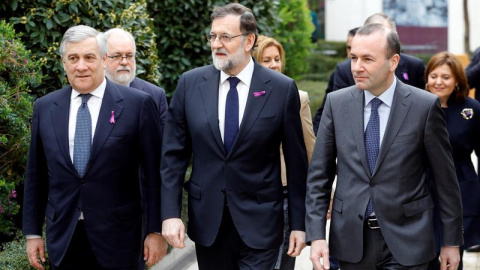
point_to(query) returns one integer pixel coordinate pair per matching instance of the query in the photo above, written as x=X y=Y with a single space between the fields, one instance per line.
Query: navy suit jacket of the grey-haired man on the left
x=109 y=193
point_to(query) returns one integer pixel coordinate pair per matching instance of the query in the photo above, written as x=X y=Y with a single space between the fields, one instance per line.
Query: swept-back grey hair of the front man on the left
x=80 y=33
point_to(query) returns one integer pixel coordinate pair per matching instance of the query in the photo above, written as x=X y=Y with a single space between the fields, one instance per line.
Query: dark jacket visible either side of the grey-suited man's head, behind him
x=410 y=70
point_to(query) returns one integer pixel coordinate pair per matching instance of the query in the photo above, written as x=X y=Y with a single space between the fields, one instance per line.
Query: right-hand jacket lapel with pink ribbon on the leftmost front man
x=110 y=101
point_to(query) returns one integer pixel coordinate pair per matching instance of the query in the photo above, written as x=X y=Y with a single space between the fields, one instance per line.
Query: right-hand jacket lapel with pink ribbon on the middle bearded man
x=254 y=104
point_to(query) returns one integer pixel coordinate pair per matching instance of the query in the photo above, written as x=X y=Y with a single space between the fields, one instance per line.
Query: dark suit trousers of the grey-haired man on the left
x=79 y=255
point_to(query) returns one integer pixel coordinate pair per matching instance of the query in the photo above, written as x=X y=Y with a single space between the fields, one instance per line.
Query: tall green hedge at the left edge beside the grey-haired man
x=18 y=75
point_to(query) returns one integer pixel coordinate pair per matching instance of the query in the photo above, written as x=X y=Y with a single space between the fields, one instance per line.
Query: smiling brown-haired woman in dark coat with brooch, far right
x=446 y=78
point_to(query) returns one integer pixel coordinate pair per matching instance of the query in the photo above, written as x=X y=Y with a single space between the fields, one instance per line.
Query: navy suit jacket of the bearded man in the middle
x=249 y=176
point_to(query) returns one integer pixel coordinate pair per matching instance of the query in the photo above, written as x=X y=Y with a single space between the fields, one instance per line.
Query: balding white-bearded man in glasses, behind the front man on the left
x=121 y=67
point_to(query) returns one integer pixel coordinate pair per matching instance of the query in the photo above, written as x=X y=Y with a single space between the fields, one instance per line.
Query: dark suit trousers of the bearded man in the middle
x=229 y=252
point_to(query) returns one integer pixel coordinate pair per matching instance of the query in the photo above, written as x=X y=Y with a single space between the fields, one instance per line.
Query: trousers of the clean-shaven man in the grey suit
x=376 y=254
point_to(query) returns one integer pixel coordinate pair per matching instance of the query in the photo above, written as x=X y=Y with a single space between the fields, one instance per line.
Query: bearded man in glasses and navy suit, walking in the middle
x=232 y=117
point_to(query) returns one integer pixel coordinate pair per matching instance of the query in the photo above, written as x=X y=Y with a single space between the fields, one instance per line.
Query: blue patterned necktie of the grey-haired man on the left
x=83 y=136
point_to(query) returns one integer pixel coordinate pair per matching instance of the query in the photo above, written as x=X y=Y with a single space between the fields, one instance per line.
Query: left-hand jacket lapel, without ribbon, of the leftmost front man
x=60 y=118
